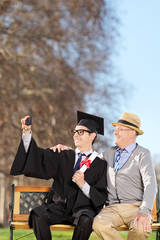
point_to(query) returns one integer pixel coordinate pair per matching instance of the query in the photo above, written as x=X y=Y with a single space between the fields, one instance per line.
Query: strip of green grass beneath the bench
x=62 y=235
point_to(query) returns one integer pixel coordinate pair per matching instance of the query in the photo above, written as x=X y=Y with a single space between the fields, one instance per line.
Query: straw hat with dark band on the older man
x=130 y=120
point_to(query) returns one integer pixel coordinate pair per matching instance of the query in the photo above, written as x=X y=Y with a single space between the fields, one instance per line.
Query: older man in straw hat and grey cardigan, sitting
x=131 y=184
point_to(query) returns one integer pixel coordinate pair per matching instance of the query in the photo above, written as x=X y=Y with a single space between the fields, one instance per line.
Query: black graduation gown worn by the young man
x=65 y=197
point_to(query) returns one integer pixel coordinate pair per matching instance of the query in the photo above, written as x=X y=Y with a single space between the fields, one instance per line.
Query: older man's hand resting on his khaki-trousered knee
x=143 y=222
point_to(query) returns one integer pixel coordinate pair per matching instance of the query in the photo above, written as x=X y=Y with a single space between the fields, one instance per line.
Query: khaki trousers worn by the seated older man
x=113 y=216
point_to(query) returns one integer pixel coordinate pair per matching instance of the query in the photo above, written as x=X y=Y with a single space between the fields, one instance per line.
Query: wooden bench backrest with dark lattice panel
x=25 y=198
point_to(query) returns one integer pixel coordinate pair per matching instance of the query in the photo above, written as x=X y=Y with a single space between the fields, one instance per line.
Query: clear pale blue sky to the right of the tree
x=138 y=62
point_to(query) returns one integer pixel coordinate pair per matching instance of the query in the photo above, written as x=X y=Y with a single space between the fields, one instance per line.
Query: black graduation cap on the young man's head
x=92 y=122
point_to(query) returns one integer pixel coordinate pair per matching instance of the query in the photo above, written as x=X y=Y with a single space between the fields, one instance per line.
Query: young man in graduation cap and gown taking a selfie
x=76 y=196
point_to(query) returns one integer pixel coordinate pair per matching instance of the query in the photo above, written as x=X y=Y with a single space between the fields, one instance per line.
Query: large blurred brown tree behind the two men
x=54 y=57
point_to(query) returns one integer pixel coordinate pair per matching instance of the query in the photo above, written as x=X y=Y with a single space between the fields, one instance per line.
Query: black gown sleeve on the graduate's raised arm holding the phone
x=37 y=162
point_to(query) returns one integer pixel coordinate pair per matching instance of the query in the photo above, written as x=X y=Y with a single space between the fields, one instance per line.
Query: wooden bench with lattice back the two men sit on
x=25 y=198
